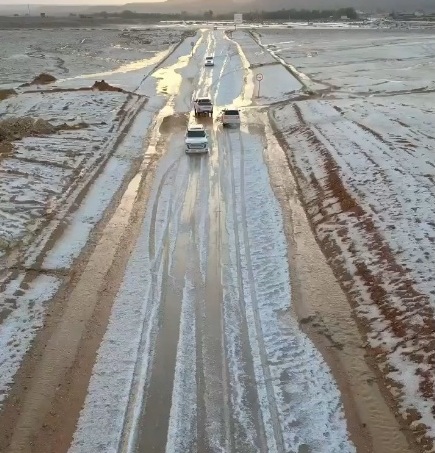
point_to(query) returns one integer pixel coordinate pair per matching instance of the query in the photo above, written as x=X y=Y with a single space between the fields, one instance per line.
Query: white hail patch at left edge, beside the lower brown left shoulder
x=18 y=330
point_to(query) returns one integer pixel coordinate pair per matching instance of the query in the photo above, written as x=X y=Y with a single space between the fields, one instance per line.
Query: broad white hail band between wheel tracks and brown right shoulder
x=291 y=374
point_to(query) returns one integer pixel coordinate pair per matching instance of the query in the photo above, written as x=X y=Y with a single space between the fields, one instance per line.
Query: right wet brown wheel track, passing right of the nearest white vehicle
x=213 y=397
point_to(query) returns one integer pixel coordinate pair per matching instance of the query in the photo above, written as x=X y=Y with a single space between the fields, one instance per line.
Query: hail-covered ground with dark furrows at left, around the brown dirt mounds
x=44 y=170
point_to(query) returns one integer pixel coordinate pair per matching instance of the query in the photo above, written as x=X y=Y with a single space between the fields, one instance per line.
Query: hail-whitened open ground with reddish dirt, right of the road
x=363 y=156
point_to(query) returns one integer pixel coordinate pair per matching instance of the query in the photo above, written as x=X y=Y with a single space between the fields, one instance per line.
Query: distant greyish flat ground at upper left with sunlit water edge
x=70 y=53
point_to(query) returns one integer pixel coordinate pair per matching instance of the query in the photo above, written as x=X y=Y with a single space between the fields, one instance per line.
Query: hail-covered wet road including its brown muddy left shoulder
x=187 y=298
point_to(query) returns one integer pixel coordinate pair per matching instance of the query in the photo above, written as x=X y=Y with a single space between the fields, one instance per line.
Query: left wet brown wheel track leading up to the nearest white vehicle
x=155 y=418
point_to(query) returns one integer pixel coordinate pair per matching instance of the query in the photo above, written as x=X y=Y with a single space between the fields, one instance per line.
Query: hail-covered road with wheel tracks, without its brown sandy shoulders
x=215 y=360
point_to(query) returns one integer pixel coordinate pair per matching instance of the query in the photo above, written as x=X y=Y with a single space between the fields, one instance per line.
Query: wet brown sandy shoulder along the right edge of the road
x=326 y=316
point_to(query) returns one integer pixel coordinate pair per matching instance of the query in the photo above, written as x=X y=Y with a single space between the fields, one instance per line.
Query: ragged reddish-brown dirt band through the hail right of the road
x=398 y=318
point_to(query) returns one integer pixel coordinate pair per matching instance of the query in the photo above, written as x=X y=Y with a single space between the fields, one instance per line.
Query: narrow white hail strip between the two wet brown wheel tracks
x=184 y=434
